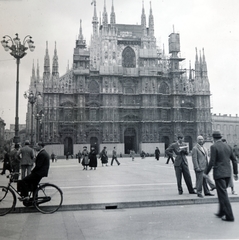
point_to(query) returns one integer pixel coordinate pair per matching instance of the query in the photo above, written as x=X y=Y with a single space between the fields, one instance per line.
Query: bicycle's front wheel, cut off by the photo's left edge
x=7 y=200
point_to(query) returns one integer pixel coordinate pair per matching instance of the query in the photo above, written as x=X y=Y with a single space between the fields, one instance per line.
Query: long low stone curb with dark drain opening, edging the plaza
x=124 y=205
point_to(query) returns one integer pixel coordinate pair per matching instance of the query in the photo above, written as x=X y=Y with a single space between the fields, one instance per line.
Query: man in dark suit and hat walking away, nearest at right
x=221 y=155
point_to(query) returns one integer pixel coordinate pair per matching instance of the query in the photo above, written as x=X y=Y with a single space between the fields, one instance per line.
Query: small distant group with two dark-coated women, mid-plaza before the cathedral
x=89 y=158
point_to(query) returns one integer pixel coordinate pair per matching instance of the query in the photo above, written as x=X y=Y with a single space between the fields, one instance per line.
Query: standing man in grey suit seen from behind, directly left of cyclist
x=26 y=155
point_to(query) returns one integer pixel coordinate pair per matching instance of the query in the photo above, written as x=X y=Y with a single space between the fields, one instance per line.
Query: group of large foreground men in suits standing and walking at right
x=221 y=157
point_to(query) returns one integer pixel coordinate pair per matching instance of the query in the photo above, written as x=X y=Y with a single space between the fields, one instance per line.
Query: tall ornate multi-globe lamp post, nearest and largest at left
x=18 y=51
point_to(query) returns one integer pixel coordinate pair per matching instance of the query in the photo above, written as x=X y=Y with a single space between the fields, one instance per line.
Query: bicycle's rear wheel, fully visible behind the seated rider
x=48 y=198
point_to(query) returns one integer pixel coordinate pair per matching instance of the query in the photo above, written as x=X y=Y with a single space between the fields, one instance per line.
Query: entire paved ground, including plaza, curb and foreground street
x=136 y=200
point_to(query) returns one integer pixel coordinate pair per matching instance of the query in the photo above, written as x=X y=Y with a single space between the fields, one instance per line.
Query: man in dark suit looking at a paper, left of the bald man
x=181 y=164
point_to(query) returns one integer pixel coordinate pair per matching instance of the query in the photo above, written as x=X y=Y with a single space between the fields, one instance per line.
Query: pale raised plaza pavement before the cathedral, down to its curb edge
x=142 y=182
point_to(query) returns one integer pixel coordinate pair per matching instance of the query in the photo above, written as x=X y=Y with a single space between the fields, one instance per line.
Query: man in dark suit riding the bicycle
x=40 y=170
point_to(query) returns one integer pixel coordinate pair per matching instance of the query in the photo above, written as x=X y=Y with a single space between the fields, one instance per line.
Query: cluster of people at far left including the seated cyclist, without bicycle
x=23 y=159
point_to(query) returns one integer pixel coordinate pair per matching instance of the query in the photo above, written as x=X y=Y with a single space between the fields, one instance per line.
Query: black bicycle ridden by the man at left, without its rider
x=47 y=198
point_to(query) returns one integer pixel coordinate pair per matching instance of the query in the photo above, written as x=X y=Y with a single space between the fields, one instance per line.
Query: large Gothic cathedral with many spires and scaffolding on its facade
x=122 y=91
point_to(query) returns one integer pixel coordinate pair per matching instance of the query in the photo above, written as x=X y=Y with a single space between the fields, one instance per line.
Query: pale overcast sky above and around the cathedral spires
x=211 y=25
